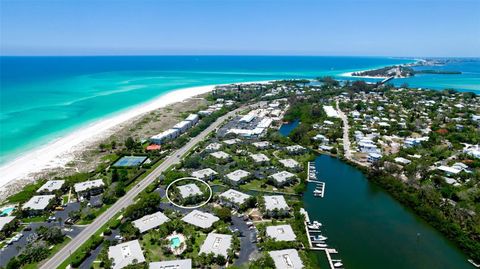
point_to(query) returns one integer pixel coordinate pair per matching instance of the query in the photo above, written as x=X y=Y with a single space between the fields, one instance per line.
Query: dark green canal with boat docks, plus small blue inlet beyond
x=368 y=227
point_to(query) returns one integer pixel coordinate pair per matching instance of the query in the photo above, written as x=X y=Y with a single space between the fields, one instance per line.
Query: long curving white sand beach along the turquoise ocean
x=58 y=153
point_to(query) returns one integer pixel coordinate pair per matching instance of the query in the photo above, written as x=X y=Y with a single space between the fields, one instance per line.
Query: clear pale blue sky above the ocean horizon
x=256 y=27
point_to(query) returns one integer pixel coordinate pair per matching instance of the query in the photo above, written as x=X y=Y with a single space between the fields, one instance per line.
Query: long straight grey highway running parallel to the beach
x=129 y=197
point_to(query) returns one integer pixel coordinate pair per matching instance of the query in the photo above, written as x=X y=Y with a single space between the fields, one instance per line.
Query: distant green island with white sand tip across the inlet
x=403 y=71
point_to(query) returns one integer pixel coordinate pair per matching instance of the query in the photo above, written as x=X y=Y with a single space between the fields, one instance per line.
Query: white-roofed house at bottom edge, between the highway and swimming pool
x=125 y=254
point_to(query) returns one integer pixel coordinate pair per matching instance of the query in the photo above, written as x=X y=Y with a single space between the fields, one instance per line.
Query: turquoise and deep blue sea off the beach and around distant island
x=43 y=98
